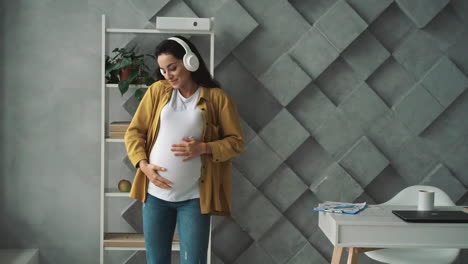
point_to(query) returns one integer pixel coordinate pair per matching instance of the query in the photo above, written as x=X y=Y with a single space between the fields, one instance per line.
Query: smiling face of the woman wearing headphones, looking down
x=174 y=71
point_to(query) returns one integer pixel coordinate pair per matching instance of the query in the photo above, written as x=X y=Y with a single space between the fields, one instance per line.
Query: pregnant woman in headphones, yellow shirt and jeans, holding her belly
x=181 y=139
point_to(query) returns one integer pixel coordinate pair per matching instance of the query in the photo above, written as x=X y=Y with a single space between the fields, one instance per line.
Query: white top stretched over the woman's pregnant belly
x=180 y=118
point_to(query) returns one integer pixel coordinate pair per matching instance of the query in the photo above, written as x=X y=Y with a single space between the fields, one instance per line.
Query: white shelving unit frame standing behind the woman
x=128 y=241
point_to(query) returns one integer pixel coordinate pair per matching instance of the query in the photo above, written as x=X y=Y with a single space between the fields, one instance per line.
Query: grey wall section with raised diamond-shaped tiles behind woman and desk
x=340 y=100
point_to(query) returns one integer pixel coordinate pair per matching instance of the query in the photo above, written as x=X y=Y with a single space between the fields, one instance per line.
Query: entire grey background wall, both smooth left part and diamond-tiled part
x=340 y=100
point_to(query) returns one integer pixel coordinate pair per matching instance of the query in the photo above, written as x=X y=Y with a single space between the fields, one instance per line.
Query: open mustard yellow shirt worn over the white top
x=221 y=130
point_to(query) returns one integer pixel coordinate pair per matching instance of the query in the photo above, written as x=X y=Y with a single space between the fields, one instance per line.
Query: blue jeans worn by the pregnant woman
x=159 y=220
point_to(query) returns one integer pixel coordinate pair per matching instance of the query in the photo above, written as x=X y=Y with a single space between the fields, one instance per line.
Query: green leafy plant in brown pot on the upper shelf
x=126 y=68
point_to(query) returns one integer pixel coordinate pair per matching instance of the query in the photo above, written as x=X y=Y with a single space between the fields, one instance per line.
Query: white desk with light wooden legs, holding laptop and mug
x=377 y=227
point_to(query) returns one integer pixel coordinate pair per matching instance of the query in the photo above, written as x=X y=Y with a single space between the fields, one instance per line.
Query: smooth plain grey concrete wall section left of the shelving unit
x=50 y=144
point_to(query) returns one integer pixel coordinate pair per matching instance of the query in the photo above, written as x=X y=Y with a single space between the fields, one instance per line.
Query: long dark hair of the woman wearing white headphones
x=201 y=76
